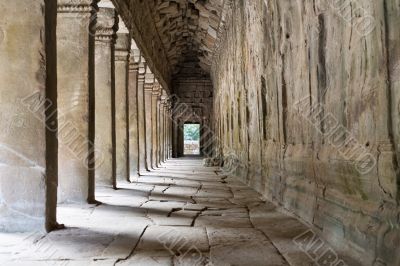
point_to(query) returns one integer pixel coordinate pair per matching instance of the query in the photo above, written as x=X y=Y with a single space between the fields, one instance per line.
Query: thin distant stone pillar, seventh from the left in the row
x=148 y=91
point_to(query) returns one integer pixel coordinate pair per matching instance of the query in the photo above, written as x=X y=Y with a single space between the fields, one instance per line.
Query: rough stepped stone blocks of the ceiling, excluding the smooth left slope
x=188 y=30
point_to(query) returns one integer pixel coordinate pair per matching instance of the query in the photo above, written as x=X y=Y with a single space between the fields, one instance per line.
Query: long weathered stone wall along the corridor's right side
x=307 y=100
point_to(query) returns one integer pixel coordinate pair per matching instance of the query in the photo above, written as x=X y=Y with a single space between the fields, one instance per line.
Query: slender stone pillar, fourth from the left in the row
x=122 y=52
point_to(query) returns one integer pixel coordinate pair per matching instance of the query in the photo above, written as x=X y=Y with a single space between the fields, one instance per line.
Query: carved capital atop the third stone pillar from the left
x=107 y=24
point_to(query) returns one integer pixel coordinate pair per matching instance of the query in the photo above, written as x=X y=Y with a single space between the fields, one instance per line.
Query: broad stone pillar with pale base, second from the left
x=75 y=53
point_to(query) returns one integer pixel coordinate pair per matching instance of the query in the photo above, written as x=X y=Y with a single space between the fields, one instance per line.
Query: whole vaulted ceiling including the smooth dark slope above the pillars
x=177 y=37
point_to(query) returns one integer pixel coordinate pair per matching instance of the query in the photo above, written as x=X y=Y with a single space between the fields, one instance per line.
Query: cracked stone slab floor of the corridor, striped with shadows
x=181 y=214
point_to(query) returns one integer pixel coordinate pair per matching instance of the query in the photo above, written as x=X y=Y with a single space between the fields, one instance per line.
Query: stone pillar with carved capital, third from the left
x=104 y=93
